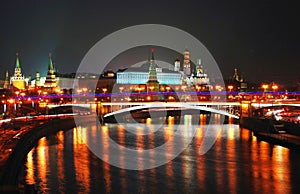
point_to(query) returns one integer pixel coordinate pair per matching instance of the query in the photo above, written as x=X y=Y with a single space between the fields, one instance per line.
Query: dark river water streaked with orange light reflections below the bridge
x=236 y=163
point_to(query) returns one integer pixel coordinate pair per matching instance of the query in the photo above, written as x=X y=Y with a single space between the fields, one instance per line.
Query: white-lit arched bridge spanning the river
x=110 y=109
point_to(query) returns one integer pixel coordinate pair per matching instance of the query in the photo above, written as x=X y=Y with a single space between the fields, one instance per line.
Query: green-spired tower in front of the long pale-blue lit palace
x=152 y=83
